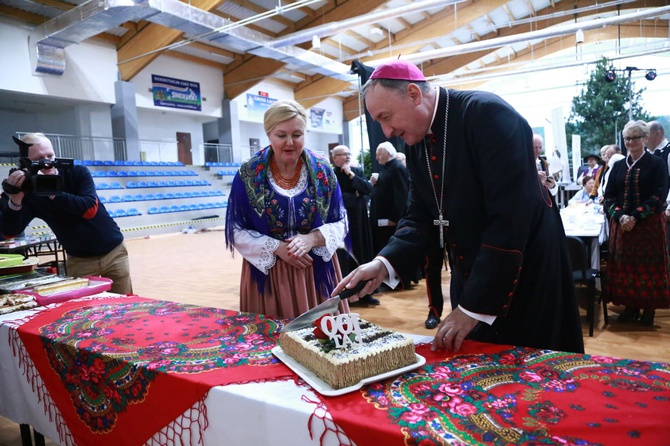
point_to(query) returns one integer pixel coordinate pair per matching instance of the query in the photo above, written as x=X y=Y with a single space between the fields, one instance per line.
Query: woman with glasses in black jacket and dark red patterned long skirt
x=637 y=268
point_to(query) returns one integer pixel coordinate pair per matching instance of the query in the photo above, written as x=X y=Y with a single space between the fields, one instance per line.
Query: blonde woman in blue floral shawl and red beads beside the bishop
x=286 y=217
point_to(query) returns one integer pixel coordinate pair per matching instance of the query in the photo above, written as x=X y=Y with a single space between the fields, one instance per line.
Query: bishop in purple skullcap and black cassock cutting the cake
x=474 y=187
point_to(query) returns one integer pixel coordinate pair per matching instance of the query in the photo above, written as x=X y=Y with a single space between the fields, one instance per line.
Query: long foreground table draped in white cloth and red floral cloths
x=483 y=394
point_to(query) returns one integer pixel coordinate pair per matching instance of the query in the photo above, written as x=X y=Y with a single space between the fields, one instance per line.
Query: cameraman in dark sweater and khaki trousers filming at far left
x=91 y=238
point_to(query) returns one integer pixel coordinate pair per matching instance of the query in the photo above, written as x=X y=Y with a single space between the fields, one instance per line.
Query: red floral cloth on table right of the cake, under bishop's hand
x=498 y=395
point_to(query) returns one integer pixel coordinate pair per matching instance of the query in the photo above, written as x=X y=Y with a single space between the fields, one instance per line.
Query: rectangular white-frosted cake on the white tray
x=380 y=351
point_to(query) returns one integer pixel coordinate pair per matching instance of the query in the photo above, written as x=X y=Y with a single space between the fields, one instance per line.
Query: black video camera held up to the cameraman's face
x=38 y=184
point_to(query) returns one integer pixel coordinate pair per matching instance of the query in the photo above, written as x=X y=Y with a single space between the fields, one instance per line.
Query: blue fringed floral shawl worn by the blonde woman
x=251 y=205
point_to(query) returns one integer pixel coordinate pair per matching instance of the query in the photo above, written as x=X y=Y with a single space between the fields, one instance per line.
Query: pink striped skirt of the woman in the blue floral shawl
x=290 y=293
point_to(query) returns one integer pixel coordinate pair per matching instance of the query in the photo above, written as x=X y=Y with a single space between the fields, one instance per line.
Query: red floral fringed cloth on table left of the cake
x=120 y=369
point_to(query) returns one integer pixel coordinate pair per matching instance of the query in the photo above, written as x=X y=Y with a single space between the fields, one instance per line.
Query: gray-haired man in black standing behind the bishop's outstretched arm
x=389 y=195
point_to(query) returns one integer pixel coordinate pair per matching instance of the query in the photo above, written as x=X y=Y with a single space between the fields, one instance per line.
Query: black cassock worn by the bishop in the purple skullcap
x=510 y=256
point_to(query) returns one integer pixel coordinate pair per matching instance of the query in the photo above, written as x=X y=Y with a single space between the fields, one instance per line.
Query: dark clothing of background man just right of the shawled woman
x=355 y=196
